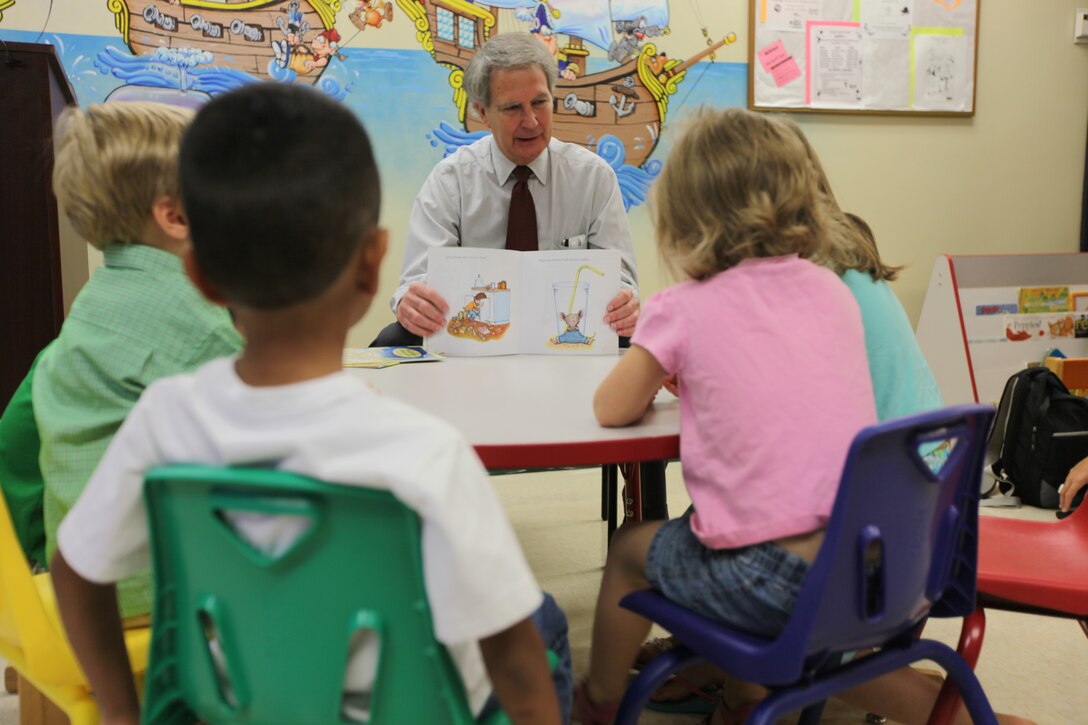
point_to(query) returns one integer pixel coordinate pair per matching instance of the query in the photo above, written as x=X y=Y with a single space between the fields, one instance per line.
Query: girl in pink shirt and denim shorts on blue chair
x=768 y=352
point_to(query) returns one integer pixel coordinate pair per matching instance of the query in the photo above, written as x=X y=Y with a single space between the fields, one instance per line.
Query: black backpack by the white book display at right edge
x=1040 y=434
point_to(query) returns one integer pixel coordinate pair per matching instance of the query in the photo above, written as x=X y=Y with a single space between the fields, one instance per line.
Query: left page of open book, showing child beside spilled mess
x=480 y=288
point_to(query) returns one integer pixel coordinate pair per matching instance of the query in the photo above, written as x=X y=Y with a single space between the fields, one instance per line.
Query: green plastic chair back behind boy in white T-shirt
x=244 y=637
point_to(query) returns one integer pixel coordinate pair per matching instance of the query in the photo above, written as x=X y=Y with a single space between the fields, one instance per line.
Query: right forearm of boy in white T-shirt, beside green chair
x=520 y=674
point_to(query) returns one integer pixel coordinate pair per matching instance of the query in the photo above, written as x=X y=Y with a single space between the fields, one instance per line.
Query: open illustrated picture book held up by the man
x=504 y=302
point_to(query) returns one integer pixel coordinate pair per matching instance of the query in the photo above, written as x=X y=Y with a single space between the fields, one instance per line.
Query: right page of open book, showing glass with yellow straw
x=566 y=297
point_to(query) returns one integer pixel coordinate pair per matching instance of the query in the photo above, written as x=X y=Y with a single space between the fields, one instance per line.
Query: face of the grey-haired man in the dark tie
x=521 y=113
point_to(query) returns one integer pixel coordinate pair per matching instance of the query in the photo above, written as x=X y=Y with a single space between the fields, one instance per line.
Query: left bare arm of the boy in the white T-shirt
x=90 y=613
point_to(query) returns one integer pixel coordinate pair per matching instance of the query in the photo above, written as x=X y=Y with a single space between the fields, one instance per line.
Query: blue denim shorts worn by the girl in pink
x=752 y=588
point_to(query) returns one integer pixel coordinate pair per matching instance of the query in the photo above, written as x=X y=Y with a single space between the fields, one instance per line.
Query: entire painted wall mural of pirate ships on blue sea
x=616 y=94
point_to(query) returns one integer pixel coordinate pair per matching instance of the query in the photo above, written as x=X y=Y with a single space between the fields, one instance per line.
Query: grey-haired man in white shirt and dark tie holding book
x=518 y=189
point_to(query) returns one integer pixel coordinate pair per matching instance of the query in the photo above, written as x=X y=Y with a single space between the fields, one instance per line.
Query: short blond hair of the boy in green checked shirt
x=114 y=162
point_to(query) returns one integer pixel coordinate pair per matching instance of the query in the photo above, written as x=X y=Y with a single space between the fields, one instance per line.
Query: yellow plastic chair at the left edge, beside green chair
x=33 y=641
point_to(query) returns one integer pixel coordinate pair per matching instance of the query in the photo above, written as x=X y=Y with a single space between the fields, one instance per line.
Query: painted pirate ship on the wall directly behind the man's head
x=617 y=110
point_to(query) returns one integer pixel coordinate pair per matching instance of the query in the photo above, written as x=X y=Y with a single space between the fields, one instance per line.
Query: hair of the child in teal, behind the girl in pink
x=851 y=244
